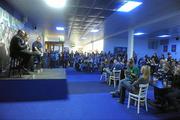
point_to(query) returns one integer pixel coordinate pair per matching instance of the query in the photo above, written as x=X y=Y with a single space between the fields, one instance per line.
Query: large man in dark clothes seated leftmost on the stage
x=18 y=48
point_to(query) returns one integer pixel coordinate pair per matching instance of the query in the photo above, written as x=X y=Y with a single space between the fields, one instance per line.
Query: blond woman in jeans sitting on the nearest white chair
x=134 y=87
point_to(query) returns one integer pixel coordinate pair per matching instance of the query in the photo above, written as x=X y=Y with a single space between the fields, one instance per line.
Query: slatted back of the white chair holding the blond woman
x=143 y=90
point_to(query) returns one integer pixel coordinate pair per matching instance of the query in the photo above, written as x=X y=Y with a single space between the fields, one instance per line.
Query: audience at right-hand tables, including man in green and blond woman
x=163 y=69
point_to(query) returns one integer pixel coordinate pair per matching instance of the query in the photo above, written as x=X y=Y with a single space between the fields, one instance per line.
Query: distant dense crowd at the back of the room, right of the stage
x=90 y=62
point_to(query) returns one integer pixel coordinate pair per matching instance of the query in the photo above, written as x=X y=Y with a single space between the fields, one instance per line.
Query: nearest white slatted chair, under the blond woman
x=141 y=97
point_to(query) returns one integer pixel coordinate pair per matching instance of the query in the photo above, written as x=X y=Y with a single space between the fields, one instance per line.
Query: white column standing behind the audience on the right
x=130 y=43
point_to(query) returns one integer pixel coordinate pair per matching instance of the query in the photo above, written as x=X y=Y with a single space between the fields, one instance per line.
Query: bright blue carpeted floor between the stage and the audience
x=88 y=100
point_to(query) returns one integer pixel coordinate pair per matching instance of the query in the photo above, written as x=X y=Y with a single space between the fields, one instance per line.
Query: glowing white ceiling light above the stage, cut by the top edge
x=56 y=3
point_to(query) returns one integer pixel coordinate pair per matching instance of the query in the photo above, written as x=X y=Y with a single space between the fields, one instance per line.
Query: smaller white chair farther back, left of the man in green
x=115 y=77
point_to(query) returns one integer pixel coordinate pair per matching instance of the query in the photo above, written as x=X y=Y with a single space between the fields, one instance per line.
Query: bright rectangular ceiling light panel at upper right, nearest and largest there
x=129 y=6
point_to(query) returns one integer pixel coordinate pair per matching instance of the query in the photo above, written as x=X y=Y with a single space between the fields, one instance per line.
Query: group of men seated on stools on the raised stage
x=20 y=48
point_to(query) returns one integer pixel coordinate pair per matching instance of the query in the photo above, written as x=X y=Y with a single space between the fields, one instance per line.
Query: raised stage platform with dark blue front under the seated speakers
x=50 y=84
